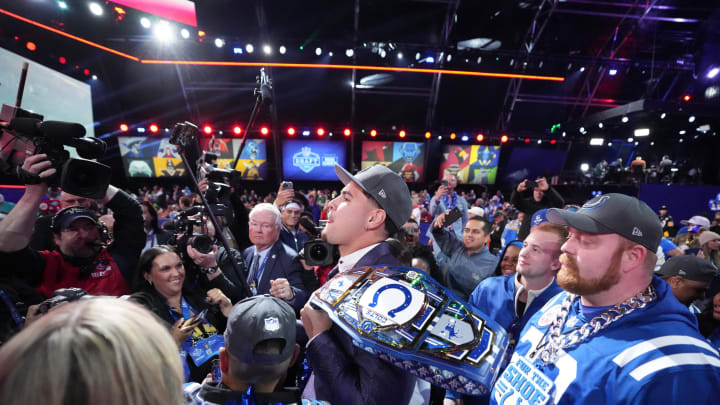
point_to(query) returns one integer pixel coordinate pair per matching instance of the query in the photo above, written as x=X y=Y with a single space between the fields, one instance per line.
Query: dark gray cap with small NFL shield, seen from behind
x=255 y=320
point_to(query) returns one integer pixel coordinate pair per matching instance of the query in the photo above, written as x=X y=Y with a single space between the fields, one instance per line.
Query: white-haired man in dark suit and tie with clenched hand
x=274 y=267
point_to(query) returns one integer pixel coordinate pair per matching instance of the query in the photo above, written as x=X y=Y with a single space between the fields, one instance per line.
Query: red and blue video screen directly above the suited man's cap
x=404 y=158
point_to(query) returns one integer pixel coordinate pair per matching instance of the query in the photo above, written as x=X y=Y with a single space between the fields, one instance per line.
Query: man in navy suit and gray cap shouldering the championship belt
x=373 y=205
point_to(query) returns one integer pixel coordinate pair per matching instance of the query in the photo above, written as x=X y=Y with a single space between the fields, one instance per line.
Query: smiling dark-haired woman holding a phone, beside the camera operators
x=196 y=323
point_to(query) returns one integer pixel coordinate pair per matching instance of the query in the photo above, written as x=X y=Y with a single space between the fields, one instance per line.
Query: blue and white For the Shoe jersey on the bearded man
x=651 y=355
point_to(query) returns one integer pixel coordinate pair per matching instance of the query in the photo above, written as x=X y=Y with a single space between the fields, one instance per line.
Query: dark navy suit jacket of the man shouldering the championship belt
x=347 y=375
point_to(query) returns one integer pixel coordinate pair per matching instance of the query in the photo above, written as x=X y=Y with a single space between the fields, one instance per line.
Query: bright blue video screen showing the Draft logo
x=312 y=160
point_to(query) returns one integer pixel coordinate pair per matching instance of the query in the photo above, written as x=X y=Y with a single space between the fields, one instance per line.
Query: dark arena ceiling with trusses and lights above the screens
x=660 y=49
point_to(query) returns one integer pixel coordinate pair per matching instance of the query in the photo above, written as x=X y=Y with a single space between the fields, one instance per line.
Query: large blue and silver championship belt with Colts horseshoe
x=408 y=319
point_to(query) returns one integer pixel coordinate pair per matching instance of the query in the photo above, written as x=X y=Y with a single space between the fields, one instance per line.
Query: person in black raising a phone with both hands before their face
x=543 y=196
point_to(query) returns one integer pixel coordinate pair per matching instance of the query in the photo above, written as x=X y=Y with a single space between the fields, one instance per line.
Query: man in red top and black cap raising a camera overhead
x=81 y=260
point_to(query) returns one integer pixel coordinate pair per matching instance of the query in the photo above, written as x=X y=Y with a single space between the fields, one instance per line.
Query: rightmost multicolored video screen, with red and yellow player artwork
x=473 y=164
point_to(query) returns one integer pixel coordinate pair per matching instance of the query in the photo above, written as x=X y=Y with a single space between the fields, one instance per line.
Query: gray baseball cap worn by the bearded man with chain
x=614 y=213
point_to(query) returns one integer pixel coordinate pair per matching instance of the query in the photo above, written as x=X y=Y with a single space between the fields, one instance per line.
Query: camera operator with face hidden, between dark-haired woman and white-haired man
x=208 y=265
